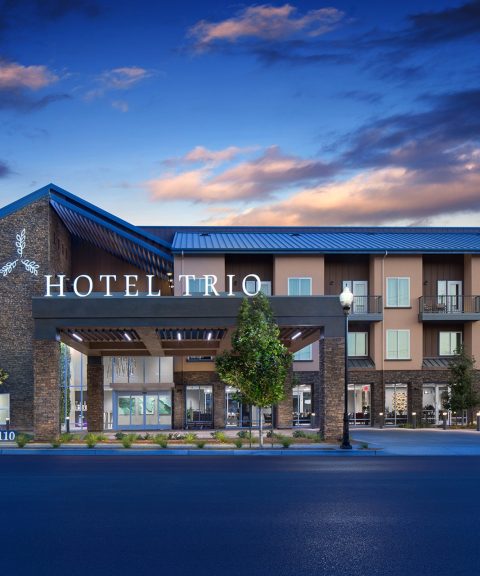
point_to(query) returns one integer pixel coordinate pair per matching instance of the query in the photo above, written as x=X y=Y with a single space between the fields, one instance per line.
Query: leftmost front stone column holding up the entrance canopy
x=46 y=406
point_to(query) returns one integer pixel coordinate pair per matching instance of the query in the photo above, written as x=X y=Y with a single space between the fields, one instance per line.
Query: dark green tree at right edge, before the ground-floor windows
x=462 y=394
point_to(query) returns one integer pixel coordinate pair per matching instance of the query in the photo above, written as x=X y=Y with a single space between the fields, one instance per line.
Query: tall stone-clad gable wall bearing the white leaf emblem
x=47 y=243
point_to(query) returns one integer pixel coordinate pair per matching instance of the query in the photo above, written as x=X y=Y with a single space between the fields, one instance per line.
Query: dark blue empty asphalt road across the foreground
x=239 y=516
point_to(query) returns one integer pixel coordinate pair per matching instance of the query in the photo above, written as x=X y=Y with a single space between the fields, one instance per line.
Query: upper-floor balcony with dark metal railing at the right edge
x=449 y=308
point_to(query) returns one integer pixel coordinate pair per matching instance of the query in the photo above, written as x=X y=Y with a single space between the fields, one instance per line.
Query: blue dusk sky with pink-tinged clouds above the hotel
x=171 y=112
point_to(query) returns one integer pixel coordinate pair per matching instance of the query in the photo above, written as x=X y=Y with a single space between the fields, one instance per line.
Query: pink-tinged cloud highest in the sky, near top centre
x=265 y=22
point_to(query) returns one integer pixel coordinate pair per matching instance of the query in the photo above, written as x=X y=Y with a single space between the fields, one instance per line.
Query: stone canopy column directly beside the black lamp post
x=332 y=386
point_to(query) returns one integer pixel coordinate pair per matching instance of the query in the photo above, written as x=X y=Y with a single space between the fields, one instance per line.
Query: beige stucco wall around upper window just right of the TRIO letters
x=285 y=267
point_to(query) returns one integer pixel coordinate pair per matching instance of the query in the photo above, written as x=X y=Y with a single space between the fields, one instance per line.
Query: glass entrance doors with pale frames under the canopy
x=142 y=410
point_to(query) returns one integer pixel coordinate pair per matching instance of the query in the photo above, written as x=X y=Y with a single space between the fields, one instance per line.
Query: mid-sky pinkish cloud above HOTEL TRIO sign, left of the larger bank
x=253 y=179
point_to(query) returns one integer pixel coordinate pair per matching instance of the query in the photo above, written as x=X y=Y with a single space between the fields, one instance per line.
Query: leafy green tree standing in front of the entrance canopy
x=258 y=364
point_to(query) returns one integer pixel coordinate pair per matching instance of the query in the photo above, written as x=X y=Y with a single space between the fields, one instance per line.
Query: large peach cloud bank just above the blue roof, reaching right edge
x=375 y=197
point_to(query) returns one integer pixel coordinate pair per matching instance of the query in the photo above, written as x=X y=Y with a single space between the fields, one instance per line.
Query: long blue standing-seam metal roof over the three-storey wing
x=332 y=240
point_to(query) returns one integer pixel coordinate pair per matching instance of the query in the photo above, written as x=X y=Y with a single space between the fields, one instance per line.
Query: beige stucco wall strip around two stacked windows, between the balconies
x=405 y=318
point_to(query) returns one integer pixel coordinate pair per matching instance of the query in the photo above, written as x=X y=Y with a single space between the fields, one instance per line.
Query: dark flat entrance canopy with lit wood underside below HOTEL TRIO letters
x=175 y=325
